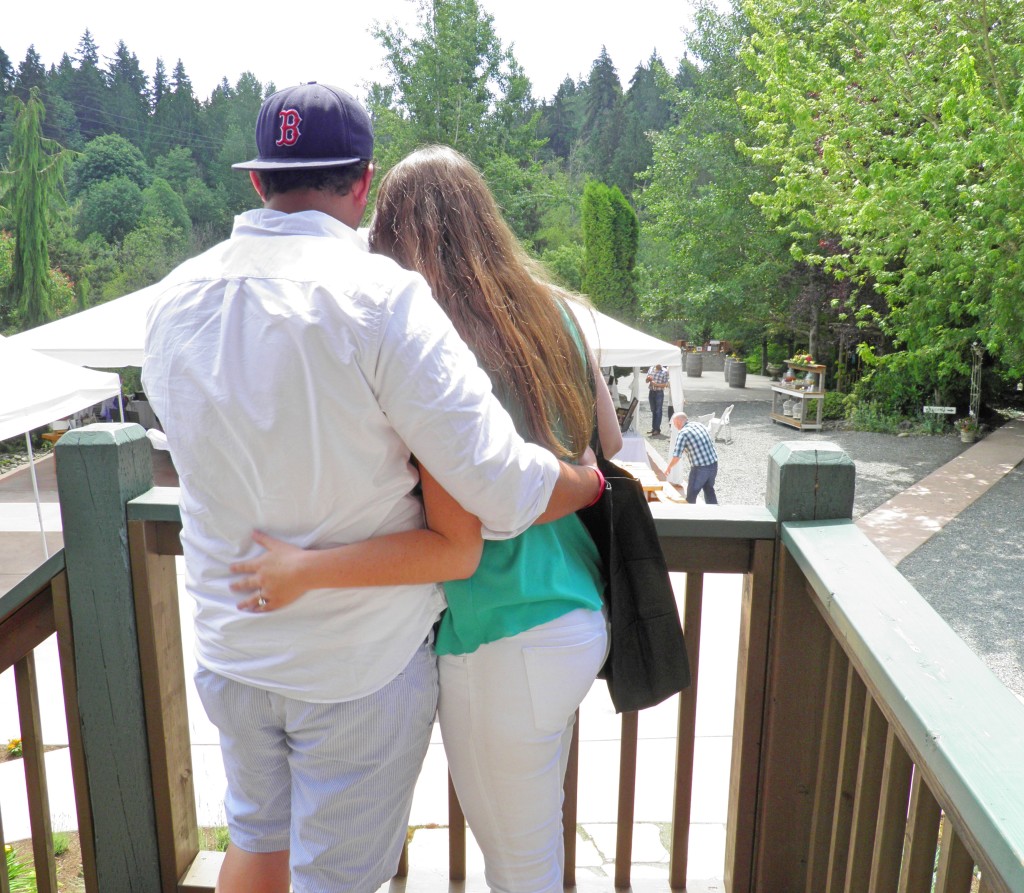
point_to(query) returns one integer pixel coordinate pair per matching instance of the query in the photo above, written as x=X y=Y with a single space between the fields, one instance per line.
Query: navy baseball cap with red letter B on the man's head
x=311 y=126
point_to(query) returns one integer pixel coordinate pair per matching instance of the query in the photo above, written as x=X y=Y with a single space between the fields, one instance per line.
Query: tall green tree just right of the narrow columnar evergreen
x=710 y=257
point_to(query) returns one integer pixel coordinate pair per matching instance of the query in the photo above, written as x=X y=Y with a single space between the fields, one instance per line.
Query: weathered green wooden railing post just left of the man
x=100 y=470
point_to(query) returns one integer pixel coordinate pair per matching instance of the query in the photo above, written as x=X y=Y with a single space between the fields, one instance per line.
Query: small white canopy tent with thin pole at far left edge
x=38 y=391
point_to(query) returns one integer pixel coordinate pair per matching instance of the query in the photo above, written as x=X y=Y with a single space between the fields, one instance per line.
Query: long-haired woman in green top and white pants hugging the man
x=525 y=635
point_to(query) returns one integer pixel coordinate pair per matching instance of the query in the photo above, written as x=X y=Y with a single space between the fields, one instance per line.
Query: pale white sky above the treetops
x=288 y=44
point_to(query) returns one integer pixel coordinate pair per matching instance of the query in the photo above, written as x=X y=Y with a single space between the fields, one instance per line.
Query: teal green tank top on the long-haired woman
x=543 y=574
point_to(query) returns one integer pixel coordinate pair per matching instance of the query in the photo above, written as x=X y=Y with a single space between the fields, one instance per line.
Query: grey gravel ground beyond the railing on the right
x=972 y=572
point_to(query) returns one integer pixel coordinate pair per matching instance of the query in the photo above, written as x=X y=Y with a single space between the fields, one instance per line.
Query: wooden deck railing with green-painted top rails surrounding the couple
x=872 y=751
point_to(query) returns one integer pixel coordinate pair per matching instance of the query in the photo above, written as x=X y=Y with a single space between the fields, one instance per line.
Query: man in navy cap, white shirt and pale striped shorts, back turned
x=294 y=375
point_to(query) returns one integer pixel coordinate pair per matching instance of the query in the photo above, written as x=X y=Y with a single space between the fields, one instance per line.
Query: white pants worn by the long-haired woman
x=506 y=716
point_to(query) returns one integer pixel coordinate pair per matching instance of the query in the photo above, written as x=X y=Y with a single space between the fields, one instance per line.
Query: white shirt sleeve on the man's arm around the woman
x=441 y=403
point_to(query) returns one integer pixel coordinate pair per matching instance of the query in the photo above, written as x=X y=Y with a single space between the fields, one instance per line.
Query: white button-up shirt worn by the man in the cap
x=294 y=373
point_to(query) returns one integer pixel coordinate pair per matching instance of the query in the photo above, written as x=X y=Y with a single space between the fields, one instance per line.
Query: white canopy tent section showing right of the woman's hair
x=619 y=345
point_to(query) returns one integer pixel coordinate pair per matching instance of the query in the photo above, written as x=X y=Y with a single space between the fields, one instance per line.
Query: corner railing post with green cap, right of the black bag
x=808 y=482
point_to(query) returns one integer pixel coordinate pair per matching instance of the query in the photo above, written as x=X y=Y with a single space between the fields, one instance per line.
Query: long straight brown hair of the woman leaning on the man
x=436 y=216
